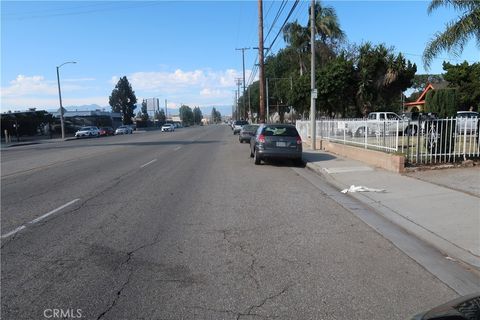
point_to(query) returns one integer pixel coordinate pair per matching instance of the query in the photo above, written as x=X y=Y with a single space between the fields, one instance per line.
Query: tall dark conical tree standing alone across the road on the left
x=123 y=100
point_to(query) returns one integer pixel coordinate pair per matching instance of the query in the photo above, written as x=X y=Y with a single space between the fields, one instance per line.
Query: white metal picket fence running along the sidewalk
x=422 y=142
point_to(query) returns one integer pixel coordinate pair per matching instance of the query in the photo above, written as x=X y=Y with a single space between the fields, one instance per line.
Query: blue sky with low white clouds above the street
x=182 y=51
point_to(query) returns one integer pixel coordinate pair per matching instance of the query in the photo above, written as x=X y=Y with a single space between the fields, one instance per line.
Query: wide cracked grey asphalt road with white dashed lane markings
x=183 y=225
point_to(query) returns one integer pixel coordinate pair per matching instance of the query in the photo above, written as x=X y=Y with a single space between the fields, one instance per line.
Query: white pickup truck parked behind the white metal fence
x=379 y=123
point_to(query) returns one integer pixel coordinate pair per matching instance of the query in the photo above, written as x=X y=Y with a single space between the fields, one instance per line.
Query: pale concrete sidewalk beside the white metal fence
x=447 y=218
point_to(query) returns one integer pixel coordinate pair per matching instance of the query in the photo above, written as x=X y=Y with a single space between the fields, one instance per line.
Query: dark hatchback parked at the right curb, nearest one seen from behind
x=276 y=141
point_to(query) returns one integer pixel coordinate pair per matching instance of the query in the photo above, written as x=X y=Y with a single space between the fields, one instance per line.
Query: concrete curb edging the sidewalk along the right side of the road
x=447 y=248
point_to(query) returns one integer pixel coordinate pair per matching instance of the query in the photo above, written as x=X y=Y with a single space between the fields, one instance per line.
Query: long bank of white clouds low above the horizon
x=199 y=87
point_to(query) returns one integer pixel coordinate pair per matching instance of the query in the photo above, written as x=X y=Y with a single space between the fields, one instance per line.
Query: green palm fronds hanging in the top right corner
x=457 y=32
